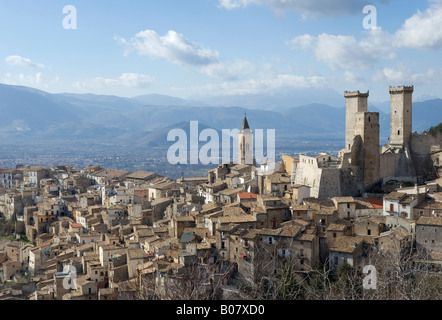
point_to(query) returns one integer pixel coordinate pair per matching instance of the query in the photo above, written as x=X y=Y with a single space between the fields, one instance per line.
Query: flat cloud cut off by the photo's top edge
x=307 y=8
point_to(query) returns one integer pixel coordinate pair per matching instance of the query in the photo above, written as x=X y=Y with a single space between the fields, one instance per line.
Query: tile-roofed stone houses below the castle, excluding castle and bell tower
x=95 y=233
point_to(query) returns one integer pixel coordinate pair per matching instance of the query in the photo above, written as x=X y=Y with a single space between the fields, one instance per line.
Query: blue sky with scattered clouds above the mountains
x=196 y=48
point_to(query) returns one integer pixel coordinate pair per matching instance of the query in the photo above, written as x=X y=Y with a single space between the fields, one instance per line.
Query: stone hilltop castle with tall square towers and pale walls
x=363 y=165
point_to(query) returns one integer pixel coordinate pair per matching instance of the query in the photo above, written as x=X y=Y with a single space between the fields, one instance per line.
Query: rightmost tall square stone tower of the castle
x=401 y=115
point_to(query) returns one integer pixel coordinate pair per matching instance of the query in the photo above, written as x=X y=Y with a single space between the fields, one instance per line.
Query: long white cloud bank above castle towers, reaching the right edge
x=421 y=31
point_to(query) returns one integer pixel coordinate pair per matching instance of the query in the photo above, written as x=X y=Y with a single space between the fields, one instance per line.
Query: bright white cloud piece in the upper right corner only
x=423 y=30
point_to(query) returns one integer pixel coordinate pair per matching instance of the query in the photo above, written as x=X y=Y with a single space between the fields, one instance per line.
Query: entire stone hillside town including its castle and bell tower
x=96 y=233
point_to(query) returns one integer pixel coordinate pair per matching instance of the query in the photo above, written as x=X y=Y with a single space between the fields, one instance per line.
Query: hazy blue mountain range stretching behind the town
x=30 y=115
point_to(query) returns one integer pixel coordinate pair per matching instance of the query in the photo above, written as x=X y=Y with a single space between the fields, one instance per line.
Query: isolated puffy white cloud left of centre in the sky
x=172 y=47
